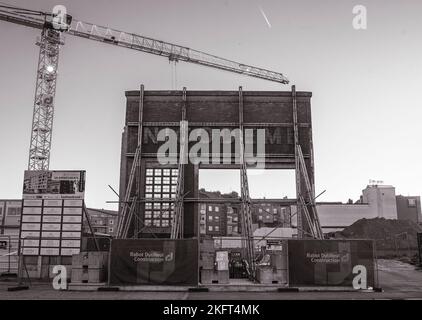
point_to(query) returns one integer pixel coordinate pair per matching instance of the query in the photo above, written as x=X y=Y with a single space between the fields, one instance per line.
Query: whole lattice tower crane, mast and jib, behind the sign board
x=54 y=25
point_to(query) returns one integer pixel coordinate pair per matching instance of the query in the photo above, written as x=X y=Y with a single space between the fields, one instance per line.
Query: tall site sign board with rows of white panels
x=46 y=194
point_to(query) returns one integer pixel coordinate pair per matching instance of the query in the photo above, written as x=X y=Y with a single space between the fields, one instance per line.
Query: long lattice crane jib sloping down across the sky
x=133 y=41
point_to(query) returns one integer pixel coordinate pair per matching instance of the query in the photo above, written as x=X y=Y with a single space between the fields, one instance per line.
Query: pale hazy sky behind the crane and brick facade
x=366 y=84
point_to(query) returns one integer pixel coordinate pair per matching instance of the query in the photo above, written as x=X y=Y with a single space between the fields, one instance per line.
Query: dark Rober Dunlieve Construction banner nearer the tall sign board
x=154 y=261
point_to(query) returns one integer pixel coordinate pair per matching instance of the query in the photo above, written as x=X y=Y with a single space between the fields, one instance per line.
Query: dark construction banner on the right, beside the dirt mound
x=330 y=262
